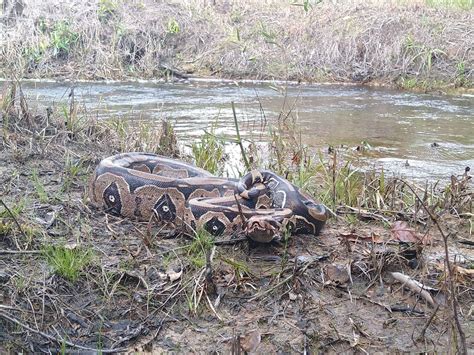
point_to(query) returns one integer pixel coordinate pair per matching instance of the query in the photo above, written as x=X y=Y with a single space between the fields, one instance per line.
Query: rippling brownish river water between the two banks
x=400 y=127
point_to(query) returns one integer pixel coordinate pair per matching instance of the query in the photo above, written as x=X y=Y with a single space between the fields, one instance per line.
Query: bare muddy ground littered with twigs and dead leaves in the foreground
x=145 y=289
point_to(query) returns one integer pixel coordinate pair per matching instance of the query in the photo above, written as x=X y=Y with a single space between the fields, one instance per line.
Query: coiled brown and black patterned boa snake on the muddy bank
x=261 y=204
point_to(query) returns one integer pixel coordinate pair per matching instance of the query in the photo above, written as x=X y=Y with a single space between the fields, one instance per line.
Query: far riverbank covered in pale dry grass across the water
x=417 y=46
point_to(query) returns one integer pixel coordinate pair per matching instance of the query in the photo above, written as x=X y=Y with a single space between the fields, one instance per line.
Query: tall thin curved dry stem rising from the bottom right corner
x=454 y=302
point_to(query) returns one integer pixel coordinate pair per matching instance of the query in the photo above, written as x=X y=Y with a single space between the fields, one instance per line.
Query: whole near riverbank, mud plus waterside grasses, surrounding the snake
x=76 y=279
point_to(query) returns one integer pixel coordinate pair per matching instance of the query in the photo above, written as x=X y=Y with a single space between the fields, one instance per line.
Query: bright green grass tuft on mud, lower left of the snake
x=68 y=262
